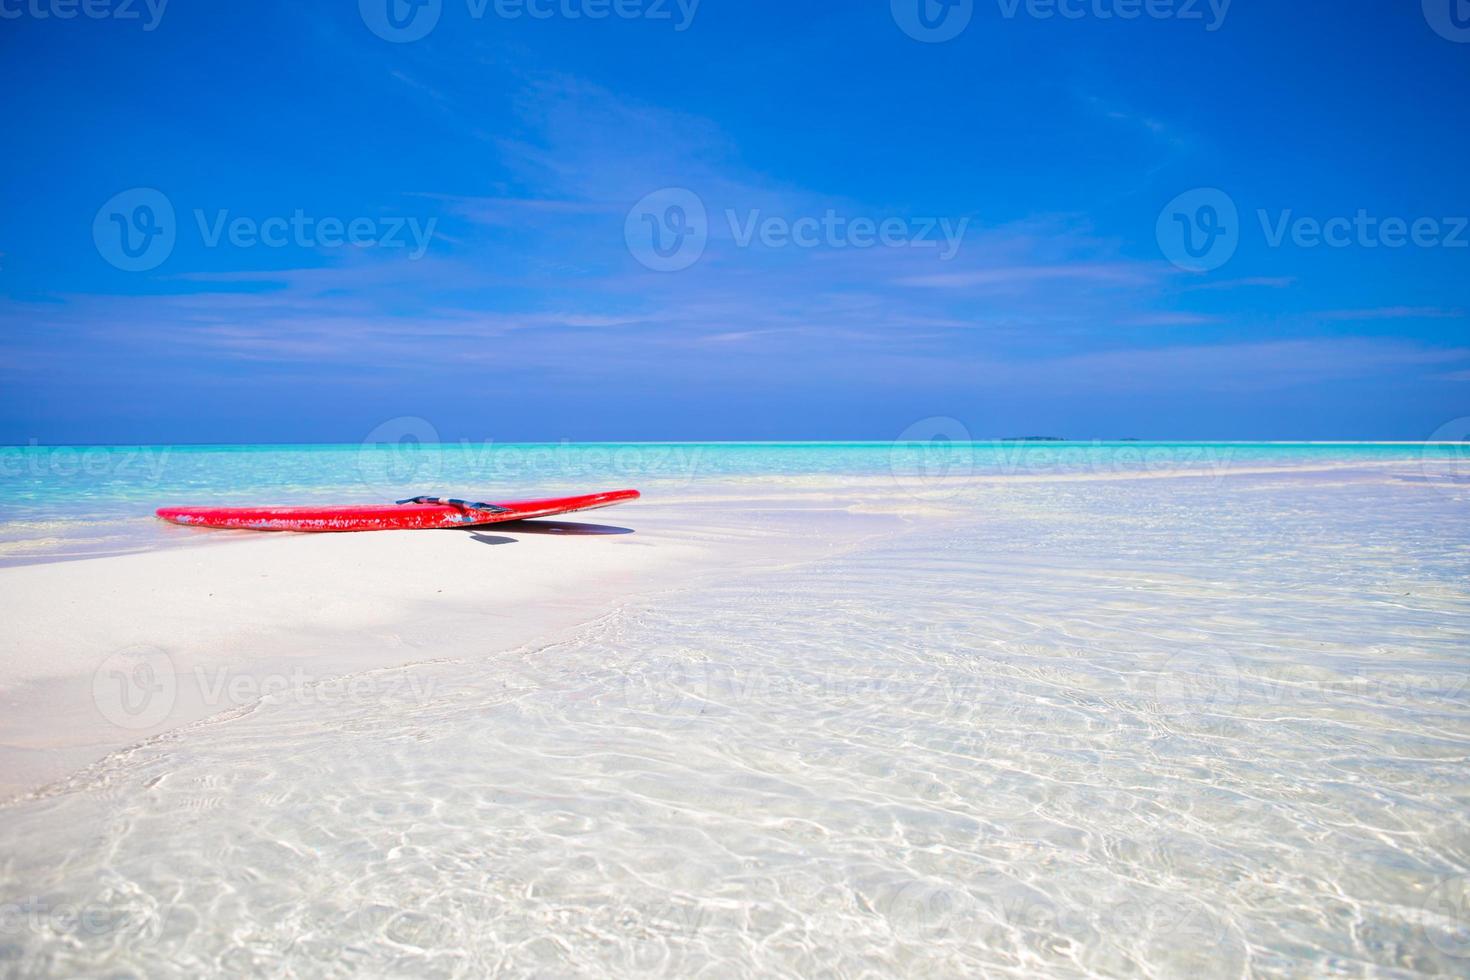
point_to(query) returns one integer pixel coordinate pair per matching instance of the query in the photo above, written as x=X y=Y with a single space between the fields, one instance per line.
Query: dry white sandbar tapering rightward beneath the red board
x=105 y=653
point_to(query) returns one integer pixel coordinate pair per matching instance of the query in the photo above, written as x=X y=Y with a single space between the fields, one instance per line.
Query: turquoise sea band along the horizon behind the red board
x=73 y=502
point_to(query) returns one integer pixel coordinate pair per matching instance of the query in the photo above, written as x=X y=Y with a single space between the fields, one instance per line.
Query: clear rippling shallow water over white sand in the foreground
x=1122 y=728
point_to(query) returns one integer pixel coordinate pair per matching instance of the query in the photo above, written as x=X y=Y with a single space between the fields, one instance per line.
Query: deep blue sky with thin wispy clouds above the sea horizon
x=506 y=176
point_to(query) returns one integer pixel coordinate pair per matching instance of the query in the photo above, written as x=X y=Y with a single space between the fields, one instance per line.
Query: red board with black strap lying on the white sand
x=418 y=514
